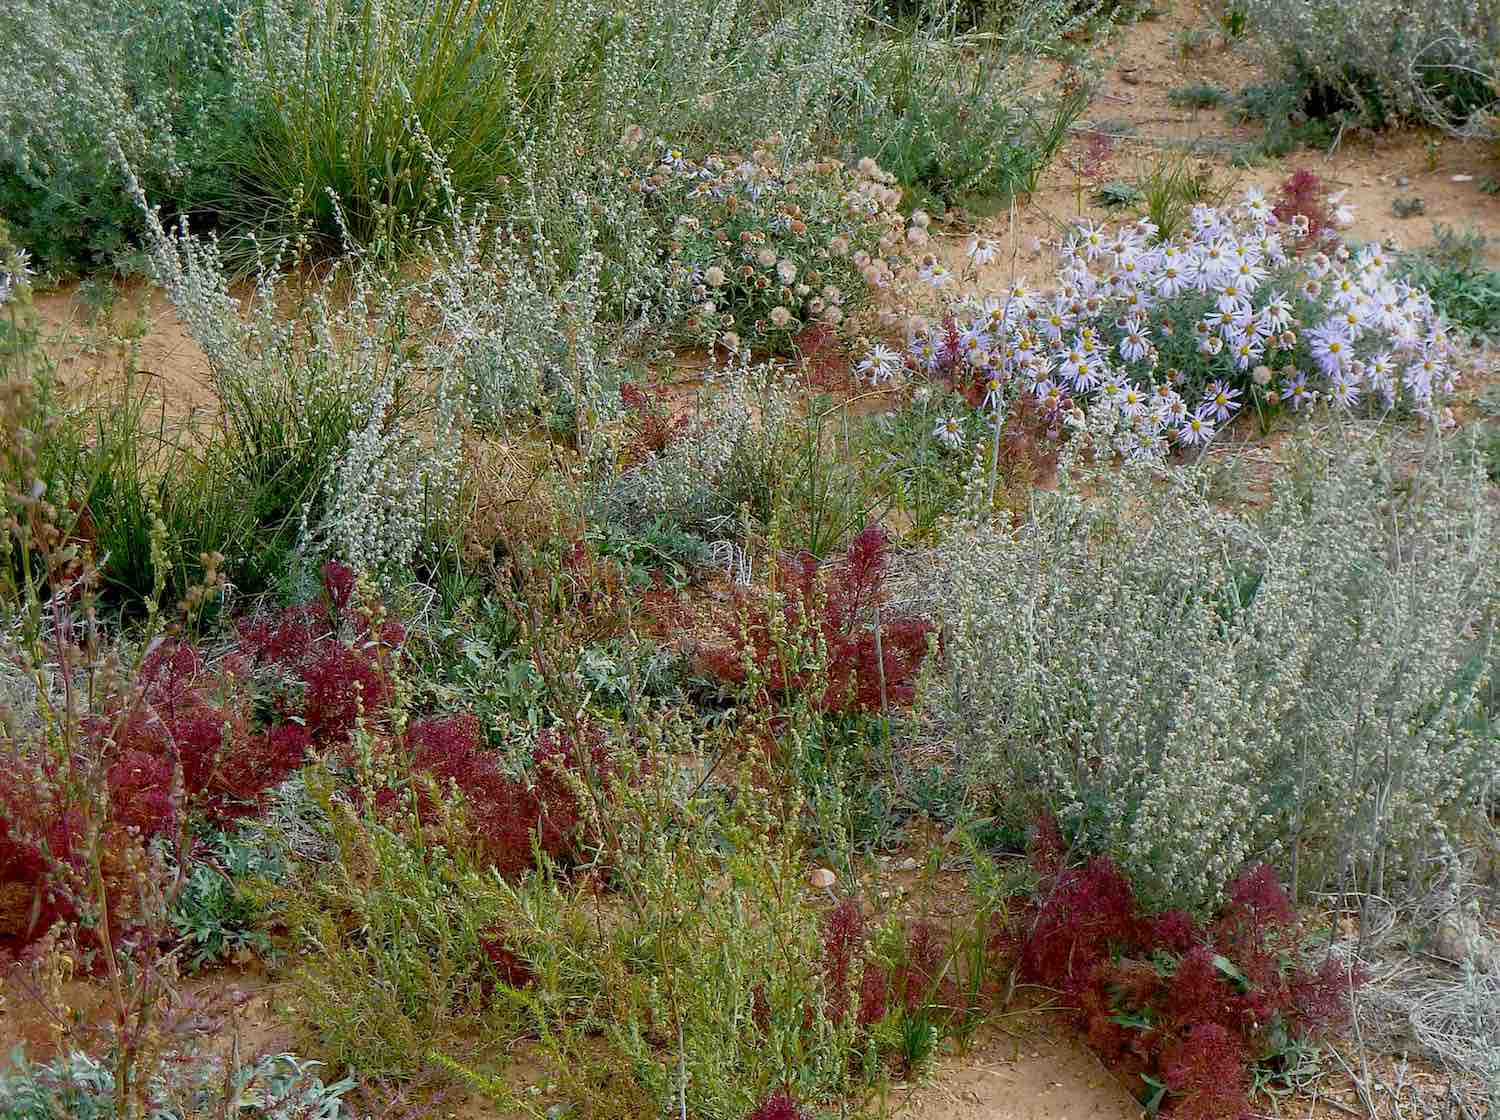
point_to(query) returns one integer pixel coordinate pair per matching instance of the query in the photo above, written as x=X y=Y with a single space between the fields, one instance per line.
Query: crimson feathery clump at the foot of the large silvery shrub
x=1186 y=1010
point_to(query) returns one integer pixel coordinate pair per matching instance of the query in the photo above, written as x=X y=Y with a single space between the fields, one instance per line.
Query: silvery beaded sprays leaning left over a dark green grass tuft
x=344 y=353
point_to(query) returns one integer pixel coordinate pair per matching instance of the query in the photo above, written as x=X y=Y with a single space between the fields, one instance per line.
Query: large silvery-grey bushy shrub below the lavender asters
x=1193 y=689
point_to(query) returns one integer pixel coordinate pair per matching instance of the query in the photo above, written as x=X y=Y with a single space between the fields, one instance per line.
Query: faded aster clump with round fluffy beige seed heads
x=764 y=247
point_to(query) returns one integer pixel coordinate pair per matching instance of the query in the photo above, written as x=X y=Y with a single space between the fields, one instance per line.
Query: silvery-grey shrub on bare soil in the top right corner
x=1400 y=52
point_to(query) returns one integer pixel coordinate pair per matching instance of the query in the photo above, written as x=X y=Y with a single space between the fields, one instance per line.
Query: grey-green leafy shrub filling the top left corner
x=74 y=77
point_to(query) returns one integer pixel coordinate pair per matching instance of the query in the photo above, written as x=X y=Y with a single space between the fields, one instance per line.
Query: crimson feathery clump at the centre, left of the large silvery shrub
x=836 y=603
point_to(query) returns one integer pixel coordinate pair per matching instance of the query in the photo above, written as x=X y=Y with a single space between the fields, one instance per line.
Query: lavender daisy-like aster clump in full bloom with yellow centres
x=1178 y=335
